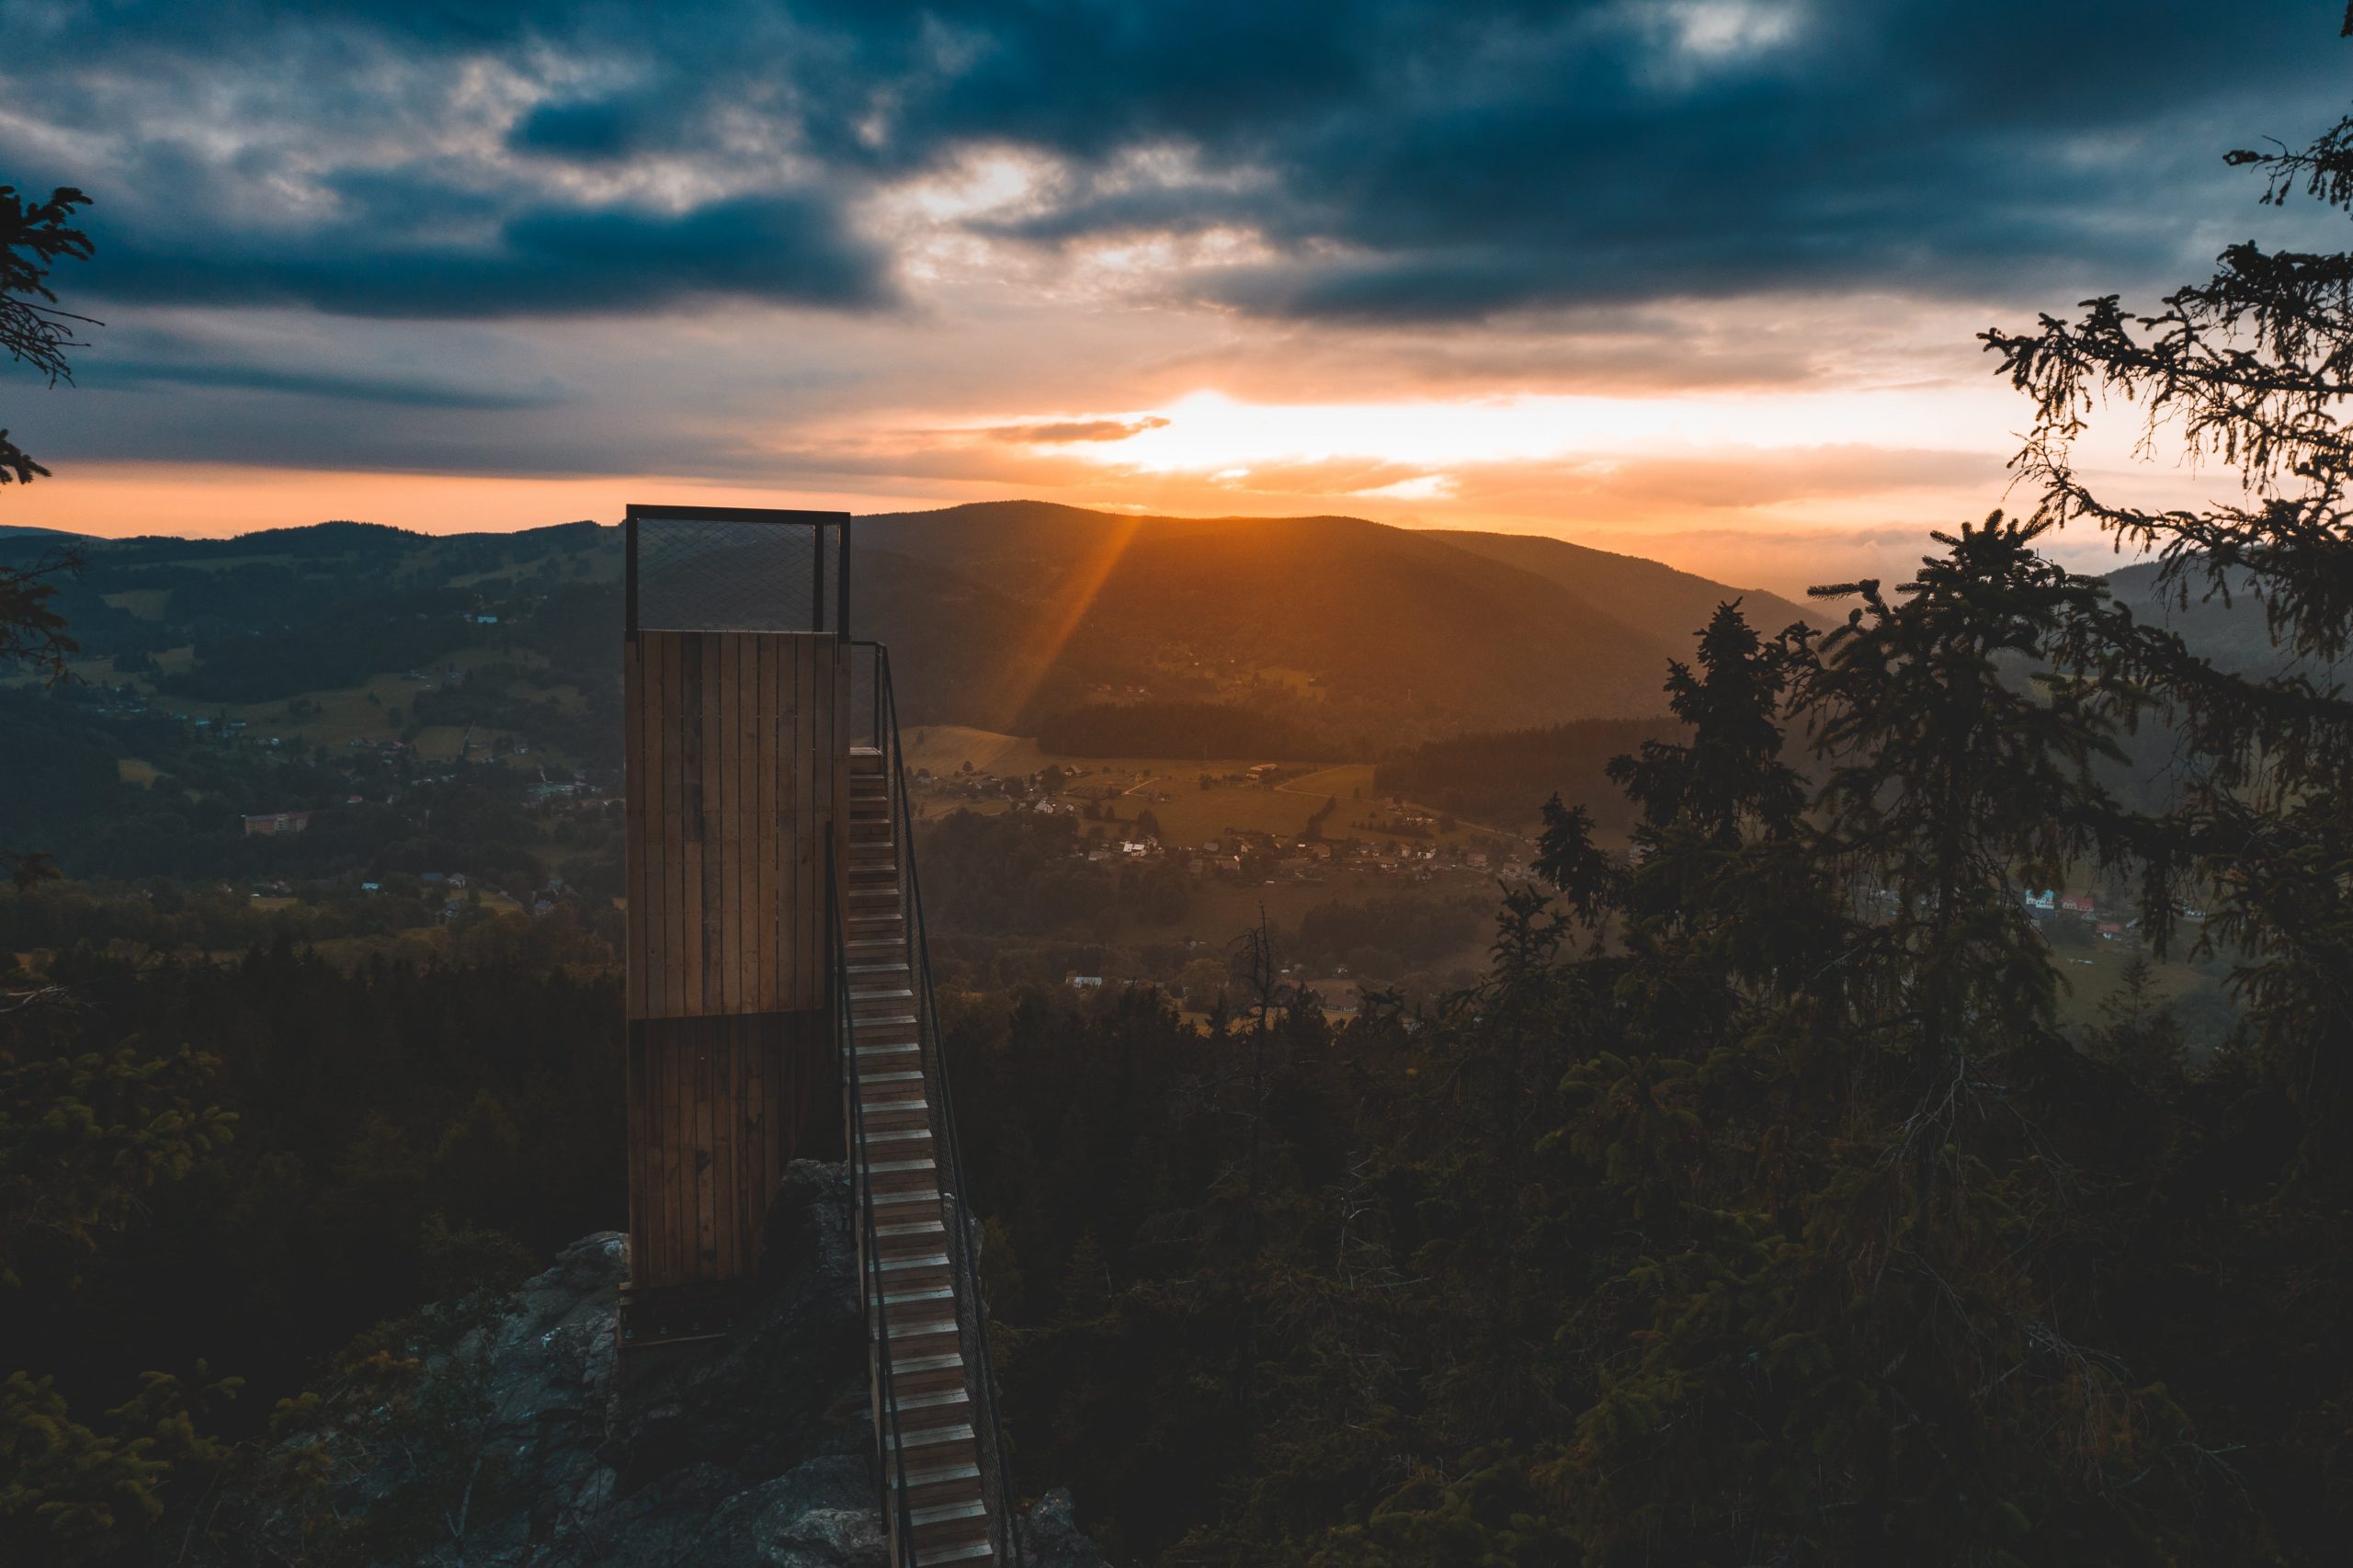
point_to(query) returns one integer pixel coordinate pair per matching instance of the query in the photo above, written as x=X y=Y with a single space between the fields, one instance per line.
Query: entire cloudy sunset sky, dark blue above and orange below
x=1693 y=279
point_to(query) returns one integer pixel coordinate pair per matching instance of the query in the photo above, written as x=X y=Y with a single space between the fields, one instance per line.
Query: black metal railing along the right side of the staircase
x=874 y=693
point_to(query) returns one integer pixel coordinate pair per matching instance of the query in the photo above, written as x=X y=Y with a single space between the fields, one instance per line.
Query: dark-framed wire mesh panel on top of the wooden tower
x=738 y=569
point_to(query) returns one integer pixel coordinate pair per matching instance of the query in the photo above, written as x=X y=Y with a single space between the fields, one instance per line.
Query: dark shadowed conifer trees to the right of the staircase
x=1754 y=1207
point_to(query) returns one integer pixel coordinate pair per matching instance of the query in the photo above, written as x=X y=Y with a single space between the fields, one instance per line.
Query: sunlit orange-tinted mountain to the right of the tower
x=1368 y=632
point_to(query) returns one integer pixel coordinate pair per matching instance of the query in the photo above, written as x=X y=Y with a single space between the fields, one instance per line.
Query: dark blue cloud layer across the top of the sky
x=1397 y=159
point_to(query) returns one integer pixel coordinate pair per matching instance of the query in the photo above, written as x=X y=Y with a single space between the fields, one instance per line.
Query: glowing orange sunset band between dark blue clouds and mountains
x=1766 y=444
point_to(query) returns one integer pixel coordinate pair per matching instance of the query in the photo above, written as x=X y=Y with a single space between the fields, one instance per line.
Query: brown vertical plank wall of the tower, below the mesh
x=738 y=750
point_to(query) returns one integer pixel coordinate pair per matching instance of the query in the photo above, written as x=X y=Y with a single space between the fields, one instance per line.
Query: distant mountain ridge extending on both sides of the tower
x=999 y=616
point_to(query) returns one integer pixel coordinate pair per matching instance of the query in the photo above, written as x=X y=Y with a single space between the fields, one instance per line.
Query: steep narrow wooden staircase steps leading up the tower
x=931 y=1388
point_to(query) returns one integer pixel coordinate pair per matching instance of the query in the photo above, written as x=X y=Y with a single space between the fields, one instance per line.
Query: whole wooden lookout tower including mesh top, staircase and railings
x=780 y=992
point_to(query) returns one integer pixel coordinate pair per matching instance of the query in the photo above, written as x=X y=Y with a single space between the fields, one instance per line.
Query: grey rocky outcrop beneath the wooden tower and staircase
x=747 y=1451
